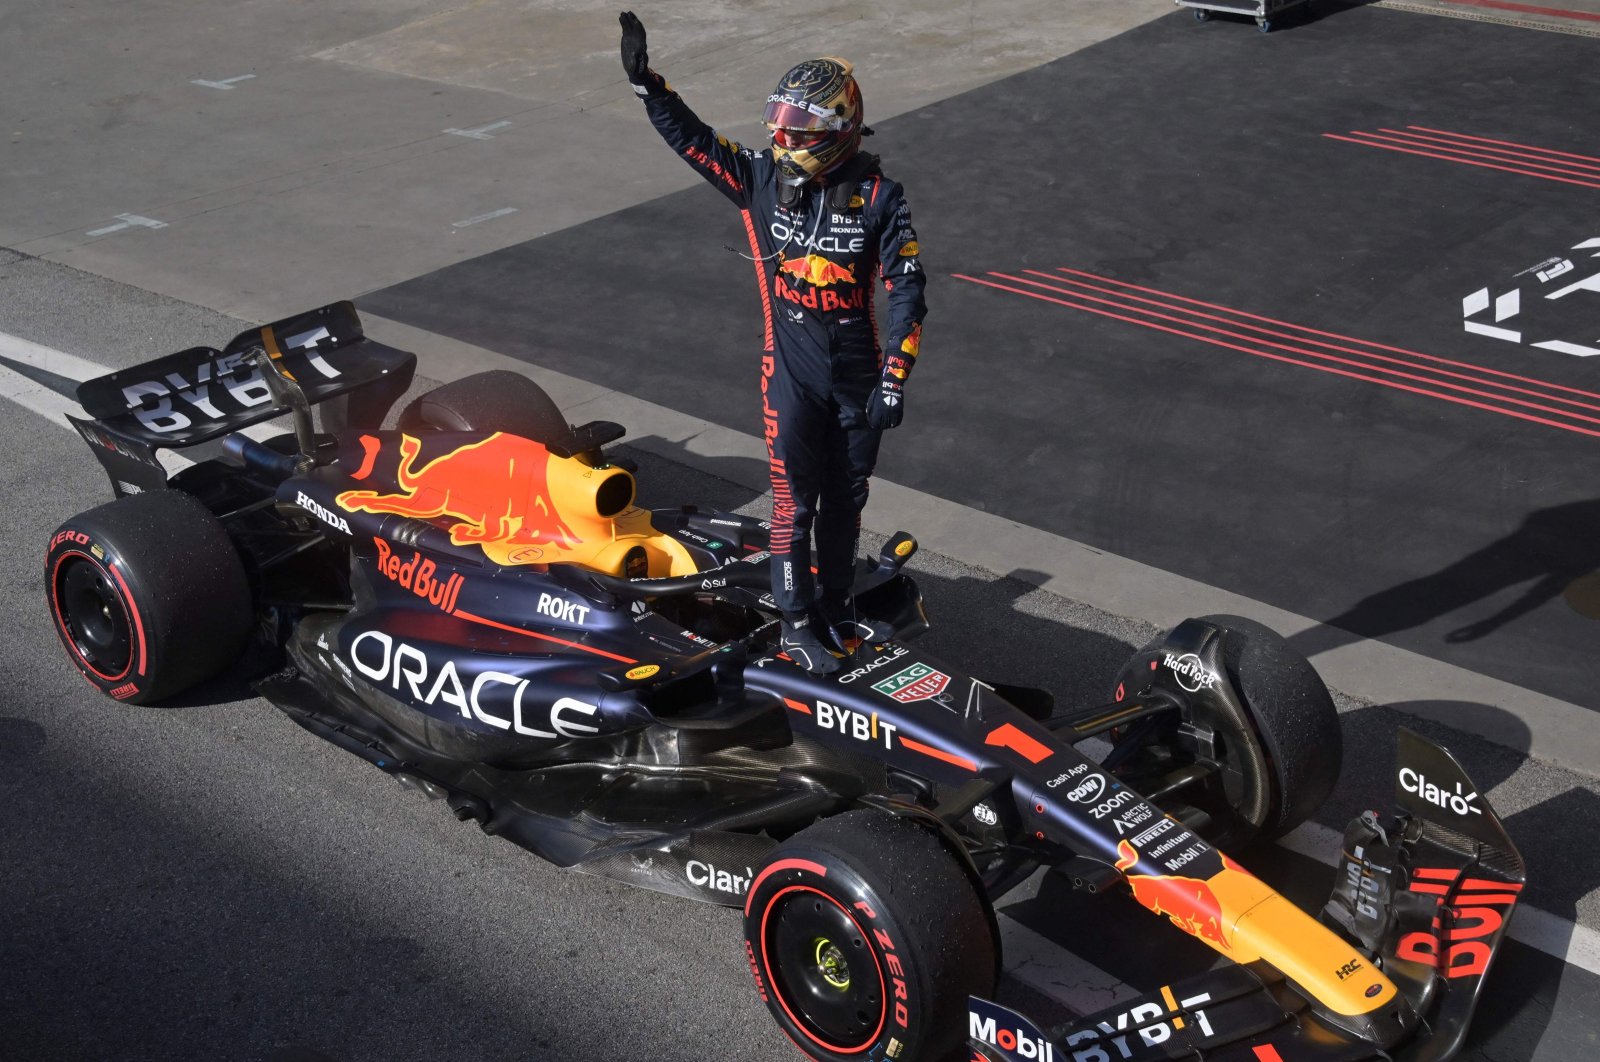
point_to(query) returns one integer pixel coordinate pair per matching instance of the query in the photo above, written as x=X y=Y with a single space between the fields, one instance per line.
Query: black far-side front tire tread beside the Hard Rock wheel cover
x=1294 y=716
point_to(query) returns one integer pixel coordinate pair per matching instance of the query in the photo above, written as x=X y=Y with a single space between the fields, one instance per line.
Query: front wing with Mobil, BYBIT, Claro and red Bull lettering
x=1426 y=898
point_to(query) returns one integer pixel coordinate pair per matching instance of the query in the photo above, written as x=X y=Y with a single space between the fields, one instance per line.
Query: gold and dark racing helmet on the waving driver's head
x=815 y=116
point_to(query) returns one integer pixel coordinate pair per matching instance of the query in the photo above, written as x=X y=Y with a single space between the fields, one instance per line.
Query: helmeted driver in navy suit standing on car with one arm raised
x=825 y=225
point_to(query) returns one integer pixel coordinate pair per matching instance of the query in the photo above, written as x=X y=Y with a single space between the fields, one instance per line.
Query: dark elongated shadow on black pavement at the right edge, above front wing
x=1554 y=551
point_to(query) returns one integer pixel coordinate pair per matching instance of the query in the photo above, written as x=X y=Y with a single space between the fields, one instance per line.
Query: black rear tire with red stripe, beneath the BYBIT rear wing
x=148 y=596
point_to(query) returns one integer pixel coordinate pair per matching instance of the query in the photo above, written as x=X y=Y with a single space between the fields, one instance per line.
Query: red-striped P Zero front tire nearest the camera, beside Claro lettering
x=866 y=936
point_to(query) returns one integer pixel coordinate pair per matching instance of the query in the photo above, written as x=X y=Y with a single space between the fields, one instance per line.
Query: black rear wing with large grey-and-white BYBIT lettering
x=202 y=394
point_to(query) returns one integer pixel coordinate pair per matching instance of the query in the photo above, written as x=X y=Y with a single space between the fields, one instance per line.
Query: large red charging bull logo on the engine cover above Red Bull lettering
x=497 y=490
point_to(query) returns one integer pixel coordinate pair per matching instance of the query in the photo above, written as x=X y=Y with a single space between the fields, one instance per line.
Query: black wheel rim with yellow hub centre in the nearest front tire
x=825 y=970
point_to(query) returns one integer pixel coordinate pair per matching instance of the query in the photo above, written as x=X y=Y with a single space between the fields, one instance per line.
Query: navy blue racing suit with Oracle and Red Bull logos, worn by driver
x=817 y=265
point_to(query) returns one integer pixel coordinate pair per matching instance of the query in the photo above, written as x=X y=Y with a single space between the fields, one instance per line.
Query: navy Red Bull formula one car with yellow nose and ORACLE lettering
x=476 y=605
